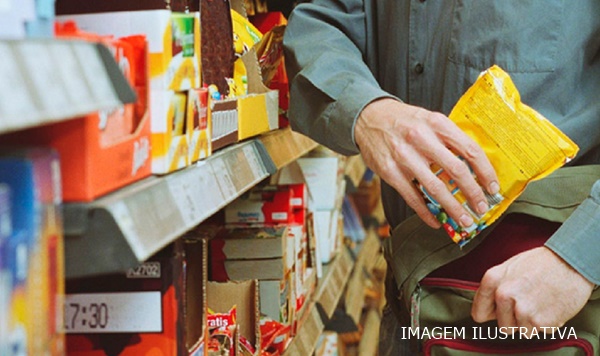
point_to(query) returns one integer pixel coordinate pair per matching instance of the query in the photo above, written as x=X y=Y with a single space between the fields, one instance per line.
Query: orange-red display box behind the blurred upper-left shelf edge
x=108 y=149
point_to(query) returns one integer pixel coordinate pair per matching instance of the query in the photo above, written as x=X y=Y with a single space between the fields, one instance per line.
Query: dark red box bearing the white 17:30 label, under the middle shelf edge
x=156 y=308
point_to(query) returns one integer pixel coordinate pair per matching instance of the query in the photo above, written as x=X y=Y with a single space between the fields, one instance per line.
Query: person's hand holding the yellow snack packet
x=399 y=142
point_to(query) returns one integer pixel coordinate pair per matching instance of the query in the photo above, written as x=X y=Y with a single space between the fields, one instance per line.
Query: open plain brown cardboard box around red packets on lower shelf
x=244 y=295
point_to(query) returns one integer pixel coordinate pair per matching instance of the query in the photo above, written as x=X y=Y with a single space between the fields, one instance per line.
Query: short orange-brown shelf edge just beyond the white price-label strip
x=285 y=146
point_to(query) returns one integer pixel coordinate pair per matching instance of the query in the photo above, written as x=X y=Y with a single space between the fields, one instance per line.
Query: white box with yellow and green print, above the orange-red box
x=173 y=42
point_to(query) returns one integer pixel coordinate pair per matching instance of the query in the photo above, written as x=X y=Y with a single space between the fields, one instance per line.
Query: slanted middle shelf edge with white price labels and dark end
x=121 y=229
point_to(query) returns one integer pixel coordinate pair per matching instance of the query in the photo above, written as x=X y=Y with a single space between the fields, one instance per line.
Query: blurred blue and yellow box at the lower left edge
x=32 y=262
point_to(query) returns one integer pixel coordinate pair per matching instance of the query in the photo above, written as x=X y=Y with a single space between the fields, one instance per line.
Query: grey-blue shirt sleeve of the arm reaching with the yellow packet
x=330 y=83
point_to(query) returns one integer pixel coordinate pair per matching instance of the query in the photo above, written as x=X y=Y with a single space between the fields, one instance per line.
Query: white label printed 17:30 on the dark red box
x=132 y=312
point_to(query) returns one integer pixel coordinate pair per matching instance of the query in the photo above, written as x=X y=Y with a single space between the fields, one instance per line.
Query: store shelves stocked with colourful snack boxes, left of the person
x=122 y=268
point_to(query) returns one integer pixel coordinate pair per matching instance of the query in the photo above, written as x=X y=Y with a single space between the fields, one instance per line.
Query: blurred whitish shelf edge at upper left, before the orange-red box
x=44 y=81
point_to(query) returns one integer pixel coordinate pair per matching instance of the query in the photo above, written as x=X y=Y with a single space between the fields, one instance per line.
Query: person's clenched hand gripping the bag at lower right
x=533 y=289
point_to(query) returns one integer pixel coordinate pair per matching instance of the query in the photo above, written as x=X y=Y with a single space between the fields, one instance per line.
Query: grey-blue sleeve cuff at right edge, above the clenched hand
x=576 y=241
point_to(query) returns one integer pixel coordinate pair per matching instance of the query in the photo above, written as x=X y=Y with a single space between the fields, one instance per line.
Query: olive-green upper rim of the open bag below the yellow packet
x=414 y=250
